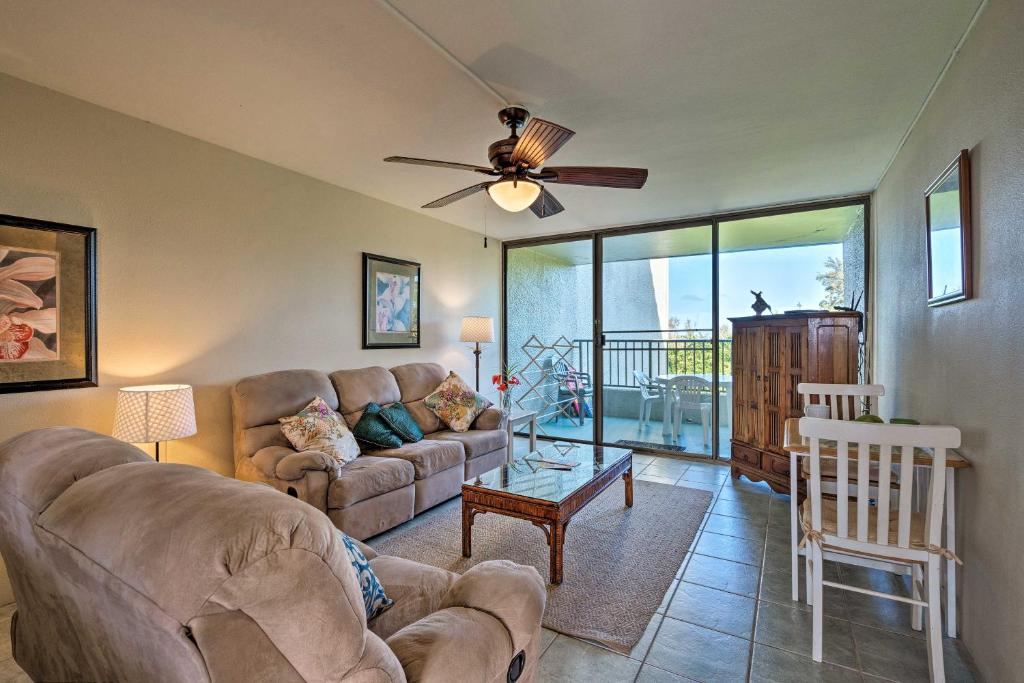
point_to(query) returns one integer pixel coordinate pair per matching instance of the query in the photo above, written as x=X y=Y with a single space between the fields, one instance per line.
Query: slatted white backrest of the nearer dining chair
x=881 y=439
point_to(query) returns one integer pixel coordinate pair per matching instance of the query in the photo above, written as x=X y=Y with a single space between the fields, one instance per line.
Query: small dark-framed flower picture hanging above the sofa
x=391 y=303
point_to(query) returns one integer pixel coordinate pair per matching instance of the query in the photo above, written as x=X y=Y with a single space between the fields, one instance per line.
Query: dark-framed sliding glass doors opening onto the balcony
x=623 y=336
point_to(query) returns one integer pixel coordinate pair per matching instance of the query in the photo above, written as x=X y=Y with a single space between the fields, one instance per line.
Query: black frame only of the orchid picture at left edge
x=89 y=378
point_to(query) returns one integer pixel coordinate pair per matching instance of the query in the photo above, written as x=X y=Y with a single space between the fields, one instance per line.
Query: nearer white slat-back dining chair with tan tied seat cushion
x=879 y=532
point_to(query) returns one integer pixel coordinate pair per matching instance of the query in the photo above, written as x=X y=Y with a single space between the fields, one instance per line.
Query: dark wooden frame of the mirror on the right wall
x=959 y=168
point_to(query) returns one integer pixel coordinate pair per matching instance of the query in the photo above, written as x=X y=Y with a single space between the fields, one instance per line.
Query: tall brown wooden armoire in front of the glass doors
x=772 y=356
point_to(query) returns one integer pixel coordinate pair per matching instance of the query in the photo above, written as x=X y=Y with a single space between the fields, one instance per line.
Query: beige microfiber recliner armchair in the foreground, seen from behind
x=126 y=570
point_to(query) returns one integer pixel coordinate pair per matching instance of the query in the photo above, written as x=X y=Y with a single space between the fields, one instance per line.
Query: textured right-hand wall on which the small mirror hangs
x=963 y=364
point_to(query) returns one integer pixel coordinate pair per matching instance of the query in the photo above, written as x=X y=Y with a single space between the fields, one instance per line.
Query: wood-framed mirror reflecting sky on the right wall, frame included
x=948 y=222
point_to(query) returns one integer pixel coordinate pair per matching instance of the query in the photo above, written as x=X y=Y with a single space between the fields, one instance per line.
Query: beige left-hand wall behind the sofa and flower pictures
x=214 y=266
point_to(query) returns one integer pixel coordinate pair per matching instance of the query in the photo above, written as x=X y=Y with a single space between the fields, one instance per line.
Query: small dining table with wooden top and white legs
x=799 y=447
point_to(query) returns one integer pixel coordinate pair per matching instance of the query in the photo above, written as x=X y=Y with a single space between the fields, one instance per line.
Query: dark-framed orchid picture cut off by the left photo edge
x=48 y=306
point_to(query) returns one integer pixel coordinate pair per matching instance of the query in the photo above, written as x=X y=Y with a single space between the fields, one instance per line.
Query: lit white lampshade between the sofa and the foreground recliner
x=155 y=413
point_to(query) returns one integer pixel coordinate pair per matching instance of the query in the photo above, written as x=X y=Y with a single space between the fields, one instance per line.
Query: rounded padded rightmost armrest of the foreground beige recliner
x=513 y=593
